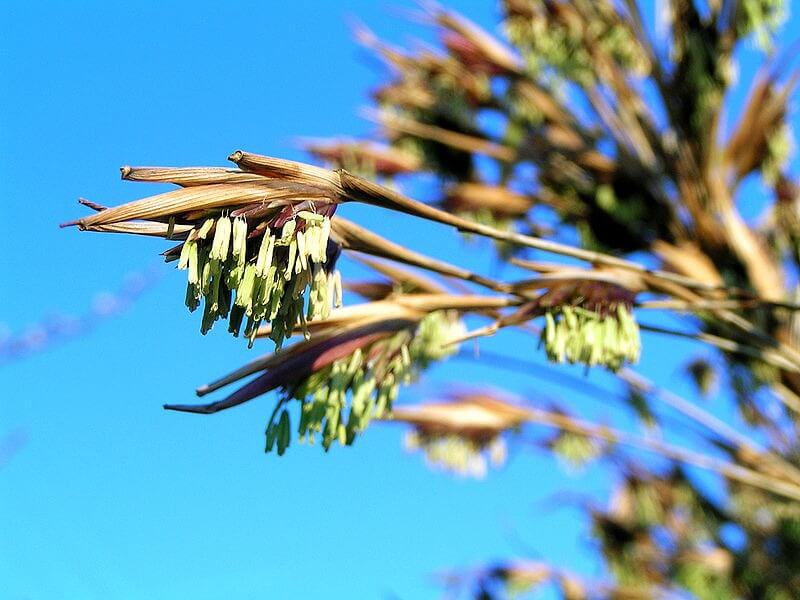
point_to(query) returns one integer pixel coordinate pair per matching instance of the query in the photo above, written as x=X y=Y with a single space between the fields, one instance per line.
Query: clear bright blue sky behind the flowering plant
x=110 y=496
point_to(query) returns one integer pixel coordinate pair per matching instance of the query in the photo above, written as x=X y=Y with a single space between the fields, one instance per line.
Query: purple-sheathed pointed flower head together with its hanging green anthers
x=341 y=378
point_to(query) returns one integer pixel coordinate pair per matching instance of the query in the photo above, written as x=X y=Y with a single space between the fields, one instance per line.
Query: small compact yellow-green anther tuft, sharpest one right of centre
x=576 y=335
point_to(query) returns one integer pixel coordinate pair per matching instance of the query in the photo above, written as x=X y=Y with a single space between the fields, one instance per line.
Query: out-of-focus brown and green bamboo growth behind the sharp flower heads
x=607 y=124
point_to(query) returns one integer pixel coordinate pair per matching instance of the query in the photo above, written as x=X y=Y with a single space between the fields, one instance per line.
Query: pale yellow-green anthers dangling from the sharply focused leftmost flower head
x=269 y=278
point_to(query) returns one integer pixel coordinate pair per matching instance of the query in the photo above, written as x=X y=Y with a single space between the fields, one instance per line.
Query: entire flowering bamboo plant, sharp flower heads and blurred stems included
x=590 y=147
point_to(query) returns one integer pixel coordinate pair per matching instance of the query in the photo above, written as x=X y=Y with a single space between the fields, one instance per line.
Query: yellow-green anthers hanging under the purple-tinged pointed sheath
x=366 y=382
